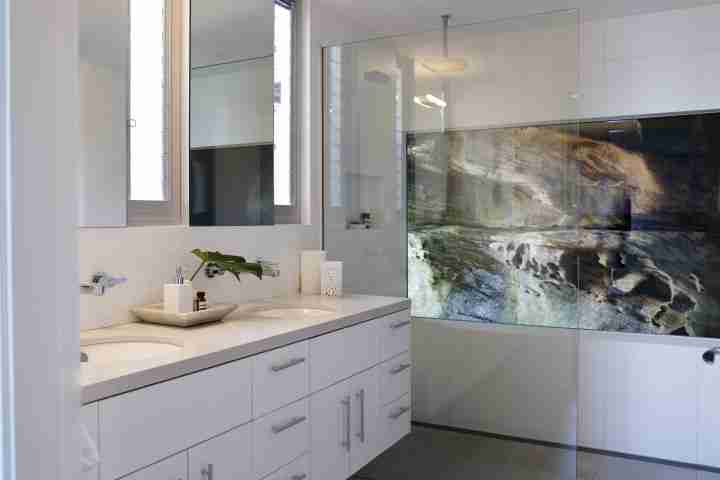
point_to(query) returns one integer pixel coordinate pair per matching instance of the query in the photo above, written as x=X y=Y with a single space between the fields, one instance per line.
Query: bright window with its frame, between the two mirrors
x=152 y=127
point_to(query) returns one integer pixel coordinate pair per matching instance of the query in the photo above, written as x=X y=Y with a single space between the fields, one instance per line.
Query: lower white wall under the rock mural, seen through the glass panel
x=502 y=379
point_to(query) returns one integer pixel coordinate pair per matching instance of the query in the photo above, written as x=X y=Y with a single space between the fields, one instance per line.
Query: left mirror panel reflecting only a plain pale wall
x=103 y=50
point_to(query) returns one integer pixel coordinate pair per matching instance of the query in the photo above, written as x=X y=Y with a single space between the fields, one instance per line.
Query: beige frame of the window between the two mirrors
x=169 y=211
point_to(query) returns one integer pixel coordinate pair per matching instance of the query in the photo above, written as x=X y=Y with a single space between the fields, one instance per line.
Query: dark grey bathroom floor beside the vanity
x=434 y=454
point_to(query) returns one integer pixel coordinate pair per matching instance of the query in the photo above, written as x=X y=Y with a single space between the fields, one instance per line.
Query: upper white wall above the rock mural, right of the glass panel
x=648 y=64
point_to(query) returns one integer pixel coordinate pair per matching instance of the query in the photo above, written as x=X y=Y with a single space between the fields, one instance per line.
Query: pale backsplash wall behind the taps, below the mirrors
x=147 y=256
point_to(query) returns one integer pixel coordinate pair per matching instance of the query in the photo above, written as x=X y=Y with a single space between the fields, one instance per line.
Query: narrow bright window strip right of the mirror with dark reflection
x=283 y=97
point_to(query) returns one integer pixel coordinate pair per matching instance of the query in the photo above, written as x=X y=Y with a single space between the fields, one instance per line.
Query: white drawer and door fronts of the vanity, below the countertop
x=320 y=408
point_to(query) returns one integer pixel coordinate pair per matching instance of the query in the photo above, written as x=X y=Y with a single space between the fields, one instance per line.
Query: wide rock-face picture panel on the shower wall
x=605 y=225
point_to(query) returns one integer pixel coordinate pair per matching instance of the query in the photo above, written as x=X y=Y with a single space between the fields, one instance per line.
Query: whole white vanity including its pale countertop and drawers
x=293 y=389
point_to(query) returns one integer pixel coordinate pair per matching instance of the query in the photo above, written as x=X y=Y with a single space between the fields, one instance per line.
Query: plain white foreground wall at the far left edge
x=40 y=148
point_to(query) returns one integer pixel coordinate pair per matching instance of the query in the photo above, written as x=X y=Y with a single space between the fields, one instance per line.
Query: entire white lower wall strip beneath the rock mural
x=638 y=394
